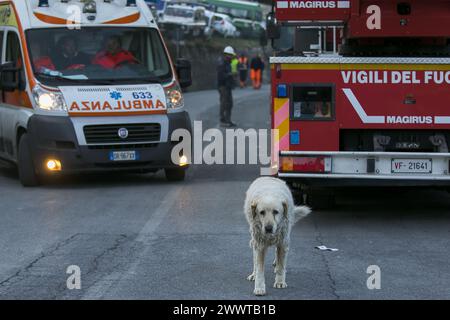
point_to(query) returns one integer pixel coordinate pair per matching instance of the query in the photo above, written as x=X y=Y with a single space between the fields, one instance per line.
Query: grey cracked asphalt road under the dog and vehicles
x=140 y=237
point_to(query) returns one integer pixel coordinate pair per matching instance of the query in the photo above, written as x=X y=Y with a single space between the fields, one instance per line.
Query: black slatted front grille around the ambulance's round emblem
x=137 y=132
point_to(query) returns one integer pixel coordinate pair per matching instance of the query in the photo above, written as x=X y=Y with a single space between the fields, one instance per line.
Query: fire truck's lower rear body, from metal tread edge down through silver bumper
x=362 y=121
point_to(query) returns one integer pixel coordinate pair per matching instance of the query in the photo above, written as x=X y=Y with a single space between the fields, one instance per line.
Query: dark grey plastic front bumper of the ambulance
x=59 y=138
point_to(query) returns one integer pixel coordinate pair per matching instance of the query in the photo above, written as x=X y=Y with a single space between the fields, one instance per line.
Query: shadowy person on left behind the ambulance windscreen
x=68 y=56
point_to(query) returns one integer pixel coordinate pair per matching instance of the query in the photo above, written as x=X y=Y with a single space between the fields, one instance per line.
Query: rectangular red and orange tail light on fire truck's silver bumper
x=306 y=164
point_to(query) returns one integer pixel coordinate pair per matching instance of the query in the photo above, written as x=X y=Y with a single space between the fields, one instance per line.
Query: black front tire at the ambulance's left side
x=27 y=173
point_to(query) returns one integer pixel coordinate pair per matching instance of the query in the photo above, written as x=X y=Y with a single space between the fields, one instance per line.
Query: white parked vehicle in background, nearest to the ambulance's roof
x=190 y=19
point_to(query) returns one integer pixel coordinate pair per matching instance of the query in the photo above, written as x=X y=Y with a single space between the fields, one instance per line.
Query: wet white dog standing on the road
x=270 y=212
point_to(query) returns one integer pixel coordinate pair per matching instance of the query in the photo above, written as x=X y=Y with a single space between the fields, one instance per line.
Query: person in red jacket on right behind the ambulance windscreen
x=114 y=56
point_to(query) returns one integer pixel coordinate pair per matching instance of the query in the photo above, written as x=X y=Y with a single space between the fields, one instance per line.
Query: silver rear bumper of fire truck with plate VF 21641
x=365 y=168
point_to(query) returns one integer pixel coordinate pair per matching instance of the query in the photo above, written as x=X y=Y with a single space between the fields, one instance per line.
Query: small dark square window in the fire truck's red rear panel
x=312 y=103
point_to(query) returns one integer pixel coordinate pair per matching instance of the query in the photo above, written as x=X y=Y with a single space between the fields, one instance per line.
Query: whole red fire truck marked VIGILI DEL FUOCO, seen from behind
x=367 y=101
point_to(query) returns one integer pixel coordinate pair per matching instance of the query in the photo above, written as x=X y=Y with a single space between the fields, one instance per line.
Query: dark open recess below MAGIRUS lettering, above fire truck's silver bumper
x=394 y=140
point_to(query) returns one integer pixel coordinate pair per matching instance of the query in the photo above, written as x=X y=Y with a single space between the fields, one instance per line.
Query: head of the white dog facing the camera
x=269 y=212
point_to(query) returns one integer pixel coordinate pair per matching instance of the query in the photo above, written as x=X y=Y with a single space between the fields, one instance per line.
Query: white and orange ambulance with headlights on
x=88 y=86
